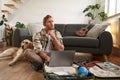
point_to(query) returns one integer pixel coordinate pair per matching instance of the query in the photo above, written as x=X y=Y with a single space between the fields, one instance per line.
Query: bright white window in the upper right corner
x=112 y=7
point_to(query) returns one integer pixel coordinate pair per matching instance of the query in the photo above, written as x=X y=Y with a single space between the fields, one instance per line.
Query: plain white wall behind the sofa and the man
x=63 y=11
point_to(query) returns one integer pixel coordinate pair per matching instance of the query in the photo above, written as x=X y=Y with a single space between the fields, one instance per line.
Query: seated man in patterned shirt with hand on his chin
x=44 y=41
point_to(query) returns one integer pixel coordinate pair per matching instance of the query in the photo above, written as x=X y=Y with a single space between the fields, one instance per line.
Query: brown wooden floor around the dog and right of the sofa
x=23 y=71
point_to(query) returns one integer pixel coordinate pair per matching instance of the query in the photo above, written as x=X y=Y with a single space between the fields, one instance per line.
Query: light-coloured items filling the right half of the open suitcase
x=106 y=70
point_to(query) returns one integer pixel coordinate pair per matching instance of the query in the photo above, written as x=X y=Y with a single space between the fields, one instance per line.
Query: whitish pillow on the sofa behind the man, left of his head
x=34 y=27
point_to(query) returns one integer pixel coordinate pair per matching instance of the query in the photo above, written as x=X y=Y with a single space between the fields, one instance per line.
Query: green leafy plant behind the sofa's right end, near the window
x=92 y=11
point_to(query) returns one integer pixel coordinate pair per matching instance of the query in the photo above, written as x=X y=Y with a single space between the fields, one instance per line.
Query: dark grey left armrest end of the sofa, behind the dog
x=19 y=35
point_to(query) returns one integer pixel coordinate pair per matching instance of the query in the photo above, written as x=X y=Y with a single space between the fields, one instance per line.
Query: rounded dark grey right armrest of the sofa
x=106 y=42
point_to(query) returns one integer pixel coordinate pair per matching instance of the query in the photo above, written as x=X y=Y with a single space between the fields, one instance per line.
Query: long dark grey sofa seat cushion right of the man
x=74 y=41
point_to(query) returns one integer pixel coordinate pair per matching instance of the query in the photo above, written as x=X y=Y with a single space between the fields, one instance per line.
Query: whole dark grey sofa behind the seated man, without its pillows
x=101 y=45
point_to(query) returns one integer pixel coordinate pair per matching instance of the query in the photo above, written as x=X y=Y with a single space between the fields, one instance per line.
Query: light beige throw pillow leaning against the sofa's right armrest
x=96 y=30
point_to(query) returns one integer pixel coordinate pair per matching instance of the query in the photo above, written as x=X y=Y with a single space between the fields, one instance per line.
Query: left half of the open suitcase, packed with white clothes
x=64 y=73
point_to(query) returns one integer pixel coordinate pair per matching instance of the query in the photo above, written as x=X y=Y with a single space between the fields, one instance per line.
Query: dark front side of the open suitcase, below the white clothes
x=53 y=76
